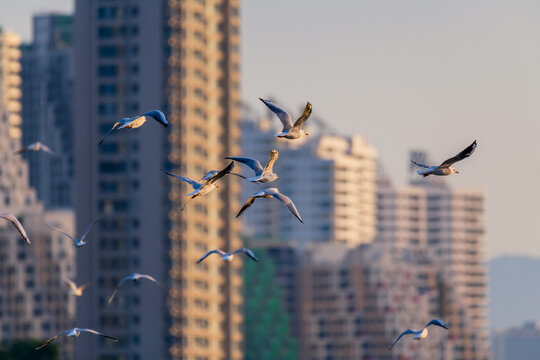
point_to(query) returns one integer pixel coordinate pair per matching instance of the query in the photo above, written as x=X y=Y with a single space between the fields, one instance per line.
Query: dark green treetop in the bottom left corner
x=25 y=350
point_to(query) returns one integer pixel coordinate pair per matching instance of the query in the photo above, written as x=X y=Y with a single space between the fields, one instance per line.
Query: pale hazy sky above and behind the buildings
x=422 y=74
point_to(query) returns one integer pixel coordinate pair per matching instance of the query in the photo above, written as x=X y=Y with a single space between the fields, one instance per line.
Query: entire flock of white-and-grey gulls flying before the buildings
x=207 y=184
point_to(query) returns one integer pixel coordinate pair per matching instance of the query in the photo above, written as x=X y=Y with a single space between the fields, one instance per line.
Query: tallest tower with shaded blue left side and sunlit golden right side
x=181 y=57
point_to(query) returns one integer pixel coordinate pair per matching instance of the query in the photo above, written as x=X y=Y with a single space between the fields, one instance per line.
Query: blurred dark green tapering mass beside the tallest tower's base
x=268 y=336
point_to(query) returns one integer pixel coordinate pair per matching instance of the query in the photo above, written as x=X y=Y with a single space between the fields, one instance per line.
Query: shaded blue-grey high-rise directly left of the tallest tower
x=47 y=107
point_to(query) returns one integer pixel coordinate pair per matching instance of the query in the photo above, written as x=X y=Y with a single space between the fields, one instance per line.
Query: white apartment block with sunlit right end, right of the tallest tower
x=330 y=178
